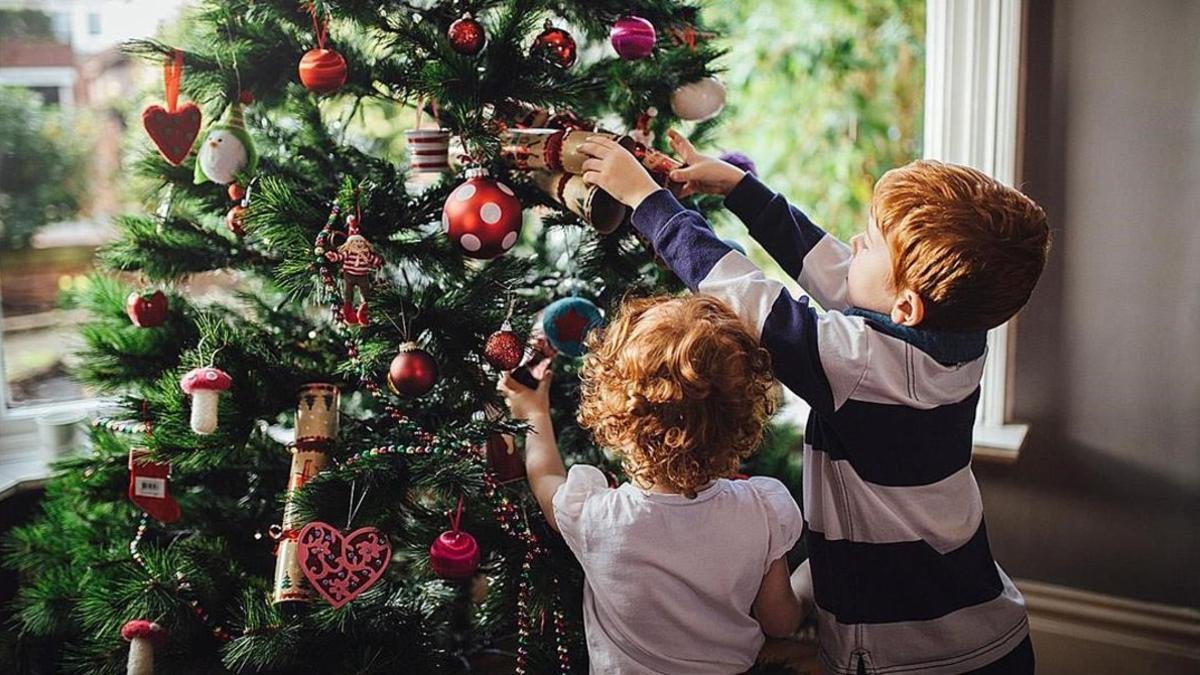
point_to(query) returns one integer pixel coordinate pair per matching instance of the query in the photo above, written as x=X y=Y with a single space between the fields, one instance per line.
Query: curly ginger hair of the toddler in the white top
x=680 y=389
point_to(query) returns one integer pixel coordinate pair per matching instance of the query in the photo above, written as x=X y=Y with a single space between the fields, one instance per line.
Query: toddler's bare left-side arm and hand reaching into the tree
x=544 y=464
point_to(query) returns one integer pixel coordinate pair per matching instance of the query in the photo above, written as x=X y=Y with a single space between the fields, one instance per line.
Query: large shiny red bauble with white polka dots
x=483 y=217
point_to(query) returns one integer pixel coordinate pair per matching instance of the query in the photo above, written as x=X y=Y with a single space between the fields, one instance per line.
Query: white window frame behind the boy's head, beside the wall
x=975 y=80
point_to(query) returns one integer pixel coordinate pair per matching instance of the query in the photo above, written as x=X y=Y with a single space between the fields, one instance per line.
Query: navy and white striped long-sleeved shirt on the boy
x=902 y=569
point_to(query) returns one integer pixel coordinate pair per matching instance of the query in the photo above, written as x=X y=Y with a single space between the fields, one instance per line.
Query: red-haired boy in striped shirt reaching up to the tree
x=903 y=575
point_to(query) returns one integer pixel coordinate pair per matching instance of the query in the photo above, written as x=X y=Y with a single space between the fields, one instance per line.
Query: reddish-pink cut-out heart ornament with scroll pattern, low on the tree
x=341 y=568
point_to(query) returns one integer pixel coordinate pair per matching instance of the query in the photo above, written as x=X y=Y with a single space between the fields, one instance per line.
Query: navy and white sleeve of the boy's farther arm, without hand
x=819 y=261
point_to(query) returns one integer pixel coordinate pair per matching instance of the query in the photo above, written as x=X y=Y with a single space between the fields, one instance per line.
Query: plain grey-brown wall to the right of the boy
x=1107 y=493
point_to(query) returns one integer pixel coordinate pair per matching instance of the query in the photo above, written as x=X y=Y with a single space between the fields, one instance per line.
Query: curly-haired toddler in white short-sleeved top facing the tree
x=685 y=568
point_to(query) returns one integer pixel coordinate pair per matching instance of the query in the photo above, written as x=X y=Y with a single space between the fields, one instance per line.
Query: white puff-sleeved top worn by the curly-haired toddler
x=670 y=581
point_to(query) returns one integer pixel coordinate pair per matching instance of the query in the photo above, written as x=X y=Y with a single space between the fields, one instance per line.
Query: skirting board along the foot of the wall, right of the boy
x=1085 y=632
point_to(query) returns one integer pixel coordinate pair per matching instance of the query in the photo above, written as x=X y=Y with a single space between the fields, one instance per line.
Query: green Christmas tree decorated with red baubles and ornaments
x=313 y=474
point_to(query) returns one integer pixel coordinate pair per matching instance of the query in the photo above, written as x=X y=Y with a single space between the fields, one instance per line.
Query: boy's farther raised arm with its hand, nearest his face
x=818 y=260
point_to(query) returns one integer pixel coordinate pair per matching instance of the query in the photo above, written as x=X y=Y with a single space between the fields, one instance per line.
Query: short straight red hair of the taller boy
x=969 y=246
